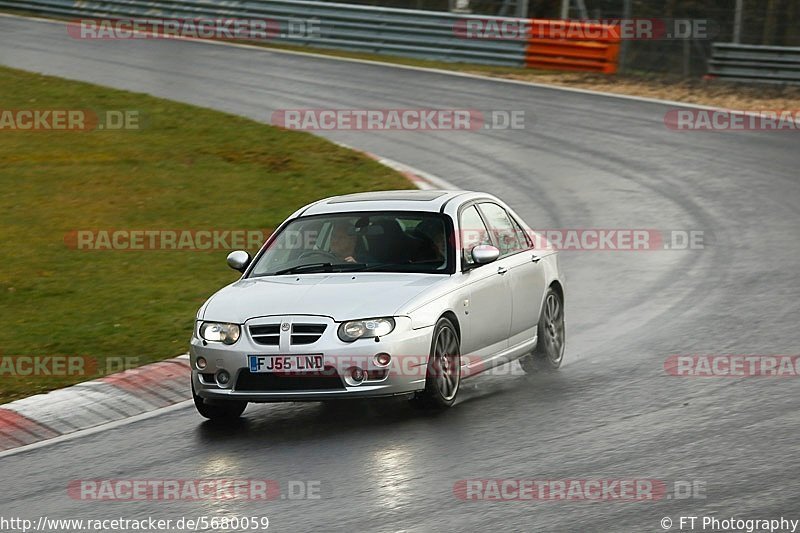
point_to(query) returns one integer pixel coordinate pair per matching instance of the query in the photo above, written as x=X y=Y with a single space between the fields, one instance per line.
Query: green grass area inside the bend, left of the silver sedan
x=187 y=167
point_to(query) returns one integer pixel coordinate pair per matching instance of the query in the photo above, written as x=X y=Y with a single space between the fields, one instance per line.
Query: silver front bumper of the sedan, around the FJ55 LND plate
x=405 y=373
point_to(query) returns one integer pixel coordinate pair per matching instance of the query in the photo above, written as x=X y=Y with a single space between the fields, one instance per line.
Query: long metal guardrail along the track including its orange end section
x=408 y=33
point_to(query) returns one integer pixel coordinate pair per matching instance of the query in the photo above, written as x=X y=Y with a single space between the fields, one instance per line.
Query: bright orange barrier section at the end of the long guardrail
x=573 y=45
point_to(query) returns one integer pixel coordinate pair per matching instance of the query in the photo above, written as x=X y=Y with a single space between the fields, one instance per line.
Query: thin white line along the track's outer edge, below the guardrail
x=423 y=69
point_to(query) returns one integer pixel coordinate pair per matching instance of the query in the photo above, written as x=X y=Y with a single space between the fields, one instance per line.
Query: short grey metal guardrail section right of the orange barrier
x=760 y=64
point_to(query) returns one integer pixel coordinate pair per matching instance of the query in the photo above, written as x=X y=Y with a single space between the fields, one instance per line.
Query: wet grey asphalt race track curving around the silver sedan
x=583 y=161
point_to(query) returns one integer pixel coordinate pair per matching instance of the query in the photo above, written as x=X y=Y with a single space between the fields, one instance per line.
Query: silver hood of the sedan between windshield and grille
x=341 y=296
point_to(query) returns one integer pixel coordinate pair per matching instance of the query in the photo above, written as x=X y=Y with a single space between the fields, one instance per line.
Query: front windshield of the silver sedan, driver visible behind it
x=357 y=242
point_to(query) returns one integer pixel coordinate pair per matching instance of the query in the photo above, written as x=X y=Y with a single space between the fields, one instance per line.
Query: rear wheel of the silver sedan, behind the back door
x=551 y=332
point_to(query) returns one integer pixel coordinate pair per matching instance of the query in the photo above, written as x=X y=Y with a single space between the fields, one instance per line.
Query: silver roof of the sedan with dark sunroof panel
x=401 y=200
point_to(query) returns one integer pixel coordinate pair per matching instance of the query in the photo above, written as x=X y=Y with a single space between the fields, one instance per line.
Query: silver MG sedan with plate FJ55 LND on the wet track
x=379 y=294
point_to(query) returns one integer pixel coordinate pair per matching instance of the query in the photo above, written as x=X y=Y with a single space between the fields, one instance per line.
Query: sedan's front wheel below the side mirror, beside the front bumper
x=443 y=374
